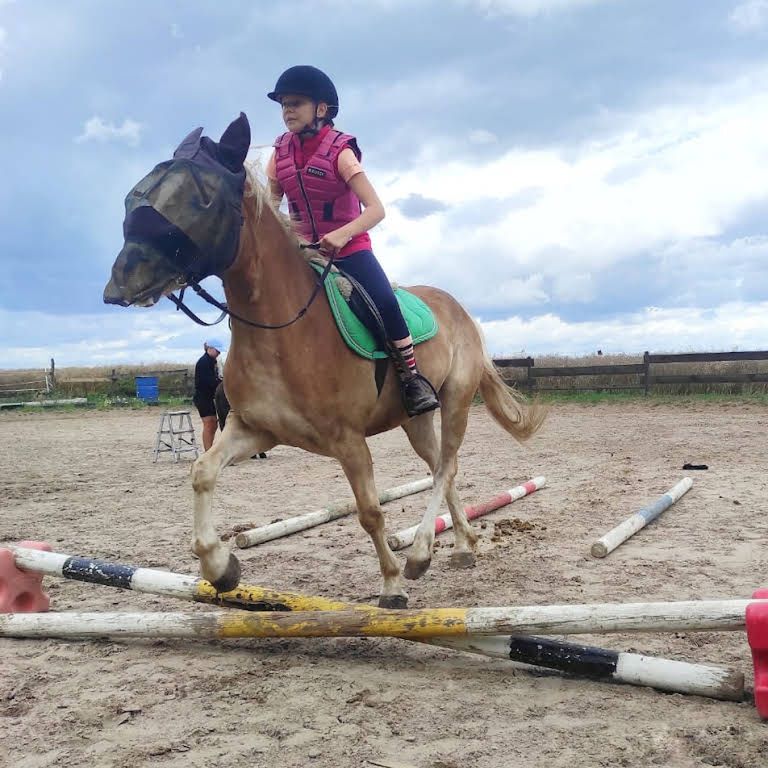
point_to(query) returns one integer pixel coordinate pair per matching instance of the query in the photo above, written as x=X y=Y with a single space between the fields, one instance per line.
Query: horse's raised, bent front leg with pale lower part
x=237 y=441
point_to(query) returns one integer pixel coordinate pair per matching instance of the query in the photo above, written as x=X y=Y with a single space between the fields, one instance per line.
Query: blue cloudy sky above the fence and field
x=581 y=174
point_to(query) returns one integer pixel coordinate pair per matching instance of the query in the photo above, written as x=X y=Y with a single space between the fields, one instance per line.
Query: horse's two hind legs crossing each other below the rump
x=453 y=425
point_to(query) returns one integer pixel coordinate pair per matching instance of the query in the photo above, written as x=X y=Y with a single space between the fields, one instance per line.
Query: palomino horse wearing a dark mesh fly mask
x=299 y=385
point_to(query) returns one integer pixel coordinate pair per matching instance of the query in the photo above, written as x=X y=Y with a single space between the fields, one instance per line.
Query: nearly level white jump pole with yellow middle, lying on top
x=712 y=615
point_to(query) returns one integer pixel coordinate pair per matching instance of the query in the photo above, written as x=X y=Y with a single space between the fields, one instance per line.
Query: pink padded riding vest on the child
x=319 y=199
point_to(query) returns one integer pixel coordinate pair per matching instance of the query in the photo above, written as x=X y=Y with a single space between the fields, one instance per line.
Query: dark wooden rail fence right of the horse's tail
x=638 y=376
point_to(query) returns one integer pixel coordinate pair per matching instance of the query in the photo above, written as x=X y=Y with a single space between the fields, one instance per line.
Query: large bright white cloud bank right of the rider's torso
x=666 y=177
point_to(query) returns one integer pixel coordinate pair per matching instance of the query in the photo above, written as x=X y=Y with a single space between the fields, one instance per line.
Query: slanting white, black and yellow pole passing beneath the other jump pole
x=593 y=663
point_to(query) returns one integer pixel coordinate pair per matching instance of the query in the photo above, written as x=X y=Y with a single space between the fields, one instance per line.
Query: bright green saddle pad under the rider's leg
x=419 y=317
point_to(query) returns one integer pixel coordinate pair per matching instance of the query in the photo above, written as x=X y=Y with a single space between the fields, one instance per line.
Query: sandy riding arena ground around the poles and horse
x=85 y=482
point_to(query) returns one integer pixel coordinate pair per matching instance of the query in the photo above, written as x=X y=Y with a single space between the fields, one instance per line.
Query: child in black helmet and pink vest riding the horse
x=333 y=203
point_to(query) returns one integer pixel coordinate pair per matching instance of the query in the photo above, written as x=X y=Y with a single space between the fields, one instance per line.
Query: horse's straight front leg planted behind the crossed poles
x=358 y=467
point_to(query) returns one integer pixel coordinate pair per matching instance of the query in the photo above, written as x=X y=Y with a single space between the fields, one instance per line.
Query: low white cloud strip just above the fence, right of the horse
x=724 y=328
